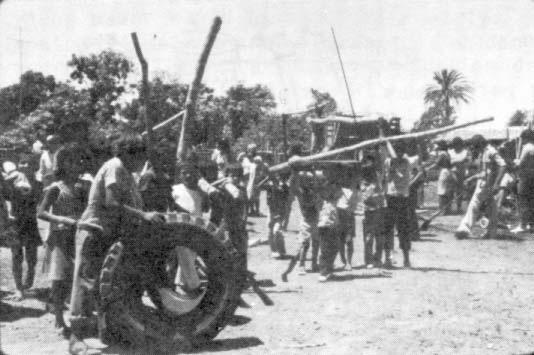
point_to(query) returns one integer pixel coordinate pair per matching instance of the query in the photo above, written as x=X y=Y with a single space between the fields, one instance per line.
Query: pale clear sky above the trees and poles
x=390 y=49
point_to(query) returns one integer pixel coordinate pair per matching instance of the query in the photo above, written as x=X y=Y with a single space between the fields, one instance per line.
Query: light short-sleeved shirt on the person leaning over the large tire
x=97 y=212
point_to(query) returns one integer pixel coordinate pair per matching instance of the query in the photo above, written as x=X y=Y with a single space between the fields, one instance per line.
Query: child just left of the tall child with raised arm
x=373 y=199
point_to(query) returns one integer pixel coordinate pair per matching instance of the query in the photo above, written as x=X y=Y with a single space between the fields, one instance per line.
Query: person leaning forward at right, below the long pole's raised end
x=492 y=169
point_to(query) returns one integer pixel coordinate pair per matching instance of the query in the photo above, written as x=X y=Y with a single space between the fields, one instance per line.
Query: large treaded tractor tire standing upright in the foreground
x=134 y=268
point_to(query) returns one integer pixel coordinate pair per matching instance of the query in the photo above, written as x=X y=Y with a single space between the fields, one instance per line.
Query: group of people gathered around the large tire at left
x=86 y=217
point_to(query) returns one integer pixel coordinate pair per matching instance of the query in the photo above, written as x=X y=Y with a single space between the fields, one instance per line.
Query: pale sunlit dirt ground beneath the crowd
x=459 y=297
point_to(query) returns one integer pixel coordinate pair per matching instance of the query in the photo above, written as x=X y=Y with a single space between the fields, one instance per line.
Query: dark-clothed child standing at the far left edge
x=21 y=195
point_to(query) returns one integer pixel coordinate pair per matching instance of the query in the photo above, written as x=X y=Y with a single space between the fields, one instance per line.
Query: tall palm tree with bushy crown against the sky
x=451 y=86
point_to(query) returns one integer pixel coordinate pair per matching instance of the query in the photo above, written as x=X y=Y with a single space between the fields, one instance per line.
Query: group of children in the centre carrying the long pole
x=328 y=197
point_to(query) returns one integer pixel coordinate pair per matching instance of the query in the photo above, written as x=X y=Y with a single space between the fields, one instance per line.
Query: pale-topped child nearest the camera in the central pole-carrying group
x=327 y=225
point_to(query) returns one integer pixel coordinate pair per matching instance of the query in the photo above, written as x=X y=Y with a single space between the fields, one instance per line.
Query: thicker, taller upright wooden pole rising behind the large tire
x=184 y=140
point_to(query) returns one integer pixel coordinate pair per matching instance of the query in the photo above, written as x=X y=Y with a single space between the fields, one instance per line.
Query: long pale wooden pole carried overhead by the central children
x=371 y=143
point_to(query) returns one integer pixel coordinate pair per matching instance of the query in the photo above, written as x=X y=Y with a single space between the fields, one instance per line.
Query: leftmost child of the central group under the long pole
x=277 y=200
